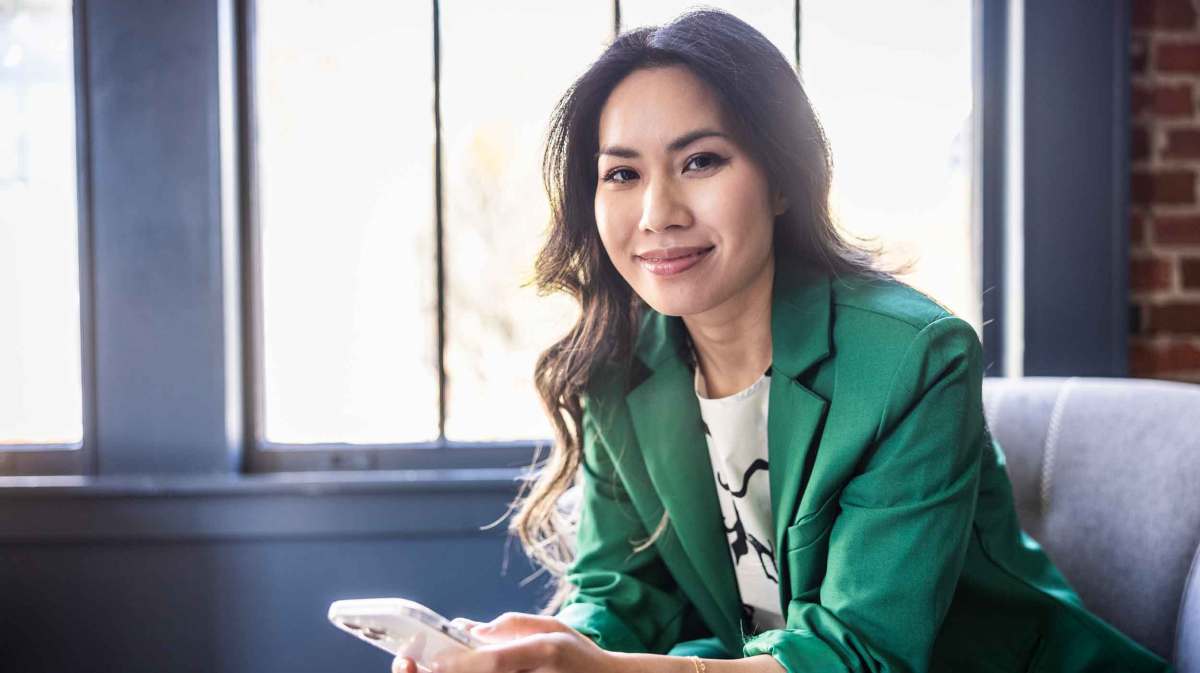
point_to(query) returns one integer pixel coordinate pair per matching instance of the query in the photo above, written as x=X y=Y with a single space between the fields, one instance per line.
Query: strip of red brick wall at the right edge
x=1165 y=267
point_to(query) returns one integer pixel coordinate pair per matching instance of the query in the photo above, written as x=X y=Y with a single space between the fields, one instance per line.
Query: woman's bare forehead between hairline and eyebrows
x=652 y=107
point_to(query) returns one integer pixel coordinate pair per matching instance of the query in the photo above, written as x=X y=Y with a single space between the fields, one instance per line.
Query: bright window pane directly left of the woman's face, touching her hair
x=495 y=208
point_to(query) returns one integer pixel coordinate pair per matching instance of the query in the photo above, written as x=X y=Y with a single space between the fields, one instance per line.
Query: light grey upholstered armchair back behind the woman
x=1107 y=477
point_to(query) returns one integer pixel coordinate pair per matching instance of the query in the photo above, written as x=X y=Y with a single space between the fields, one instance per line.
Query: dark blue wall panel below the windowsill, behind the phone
x=235 y=606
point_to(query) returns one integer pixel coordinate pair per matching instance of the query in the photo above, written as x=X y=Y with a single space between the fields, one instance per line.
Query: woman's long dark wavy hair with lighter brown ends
x=771 y=119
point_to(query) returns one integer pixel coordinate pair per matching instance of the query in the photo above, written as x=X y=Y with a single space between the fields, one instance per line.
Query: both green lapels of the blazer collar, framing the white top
x=669 y=432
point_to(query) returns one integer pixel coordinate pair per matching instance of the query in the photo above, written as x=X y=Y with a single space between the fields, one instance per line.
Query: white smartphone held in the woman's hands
x=401 y=628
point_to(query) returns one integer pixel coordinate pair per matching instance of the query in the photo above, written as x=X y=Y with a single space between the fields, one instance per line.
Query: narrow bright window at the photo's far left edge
x=41 y=392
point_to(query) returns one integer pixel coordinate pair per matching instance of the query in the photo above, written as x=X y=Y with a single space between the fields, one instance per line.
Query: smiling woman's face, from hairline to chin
x=683 y=212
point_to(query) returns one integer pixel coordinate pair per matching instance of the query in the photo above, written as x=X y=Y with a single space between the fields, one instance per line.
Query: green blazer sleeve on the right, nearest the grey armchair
x=899 y=544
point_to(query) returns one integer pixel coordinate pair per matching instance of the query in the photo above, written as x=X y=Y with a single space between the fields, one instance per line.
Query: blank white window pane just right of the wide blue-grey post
x=346 y=221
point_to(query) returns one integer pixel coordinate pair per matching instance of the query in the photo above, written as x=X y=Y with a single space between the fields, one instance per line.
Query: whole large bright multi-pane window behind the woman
x=400 y=203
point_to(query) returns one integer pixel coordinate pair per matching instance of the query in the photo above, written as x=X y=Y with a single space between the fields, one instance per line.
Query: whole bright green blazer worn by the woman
x=896 y=538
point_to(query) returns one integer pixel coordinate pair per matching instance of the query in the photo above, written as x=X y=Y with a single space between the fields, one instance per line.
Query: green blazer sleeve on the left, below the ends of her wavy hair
x=625 y=602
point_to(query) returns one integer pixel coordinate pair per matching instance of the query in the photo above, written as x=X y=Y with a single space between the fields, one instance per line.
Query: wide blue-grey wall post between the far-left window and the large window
x=158 y=289
